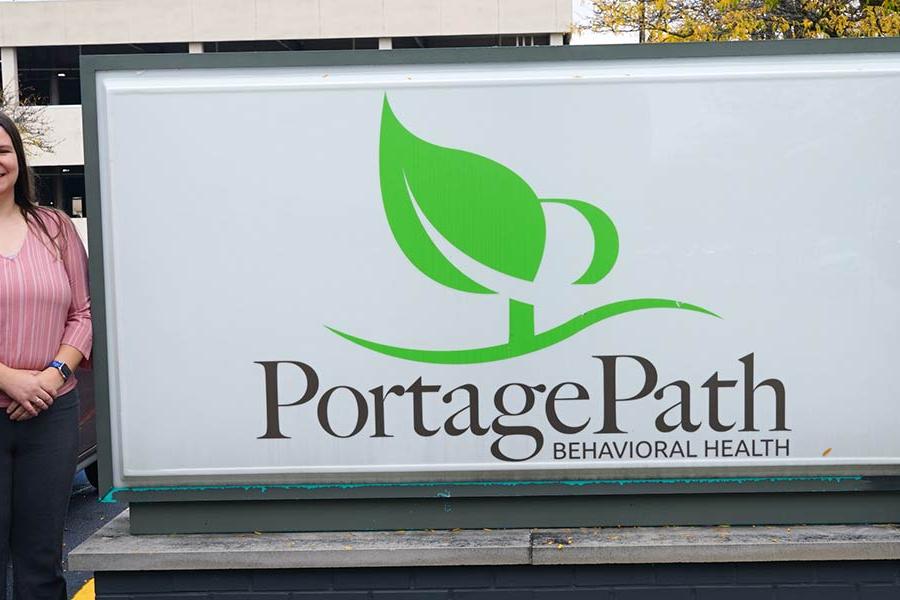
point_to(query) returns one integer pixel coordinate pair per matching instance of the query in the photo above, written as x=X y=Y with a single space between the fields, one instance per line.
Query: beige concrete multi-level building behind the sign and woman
x=41 y=42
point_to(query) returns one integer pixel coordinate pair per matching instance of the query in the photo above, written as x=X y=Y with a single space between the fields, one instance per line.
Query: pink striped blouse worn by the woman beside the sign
x=44 y=301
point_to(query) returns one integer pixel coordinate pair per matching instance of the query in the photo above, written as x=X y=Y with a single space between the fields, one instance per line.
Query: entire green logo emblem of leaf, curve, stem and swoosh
x=490 y=214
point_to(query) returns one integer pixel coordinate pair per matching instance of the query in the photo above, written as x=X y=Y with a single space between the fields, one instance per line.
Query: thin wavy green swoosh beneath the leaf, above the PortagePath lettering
x=527 y=344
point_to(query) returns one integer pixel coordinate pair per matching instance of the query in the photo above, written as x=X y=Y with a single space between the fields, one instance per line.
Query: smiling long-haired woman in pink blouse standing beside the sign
x=45 y=332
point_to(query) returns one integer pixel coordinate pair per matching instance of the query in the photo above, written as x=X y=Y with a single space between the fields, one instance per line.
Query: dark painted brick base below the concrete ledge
x=850 y=580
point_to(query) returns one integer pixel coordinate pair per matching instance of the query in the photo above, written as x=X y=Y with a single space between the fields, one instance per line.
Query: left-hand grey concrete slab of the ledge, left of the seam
x=113 y=548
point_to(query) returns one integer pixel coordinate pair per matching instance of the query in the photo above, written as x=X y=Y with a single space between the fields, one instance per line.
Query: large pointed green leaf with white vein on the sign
x=482 y=208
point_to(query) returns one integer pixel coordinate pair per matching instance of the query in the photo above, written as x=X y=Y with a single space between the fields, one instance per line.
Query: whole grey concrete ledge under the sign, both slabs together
x=113 y=548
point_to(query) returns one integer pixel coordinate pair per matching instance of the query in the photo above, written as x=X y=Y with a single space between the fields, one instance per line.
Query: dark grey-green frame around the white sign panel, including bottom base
x=841 y=496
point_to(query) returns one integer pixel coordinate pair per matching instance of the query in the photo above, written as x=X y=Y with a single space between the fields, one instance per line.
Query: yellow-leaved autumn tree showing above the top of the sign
x=726 y=20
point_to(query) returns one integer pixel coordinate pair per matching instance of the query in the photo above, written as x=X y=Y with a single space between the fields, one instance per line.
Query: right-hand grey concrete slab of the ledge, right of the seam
x=715 y=544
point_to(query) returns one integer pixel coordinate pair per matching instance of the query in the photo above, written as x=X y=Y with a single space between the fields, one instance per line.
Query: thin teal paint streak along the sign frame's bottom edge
x=444 y=493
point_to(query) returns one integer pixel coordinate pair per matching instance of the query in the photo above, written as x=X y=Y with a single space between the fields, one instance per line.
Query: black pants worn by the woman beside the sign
x=37 y=464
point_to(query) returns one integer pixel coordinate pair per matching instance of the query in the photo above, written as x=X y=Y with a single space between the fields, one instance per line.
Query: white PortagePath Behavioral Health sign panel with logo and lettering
x=497 y=271
